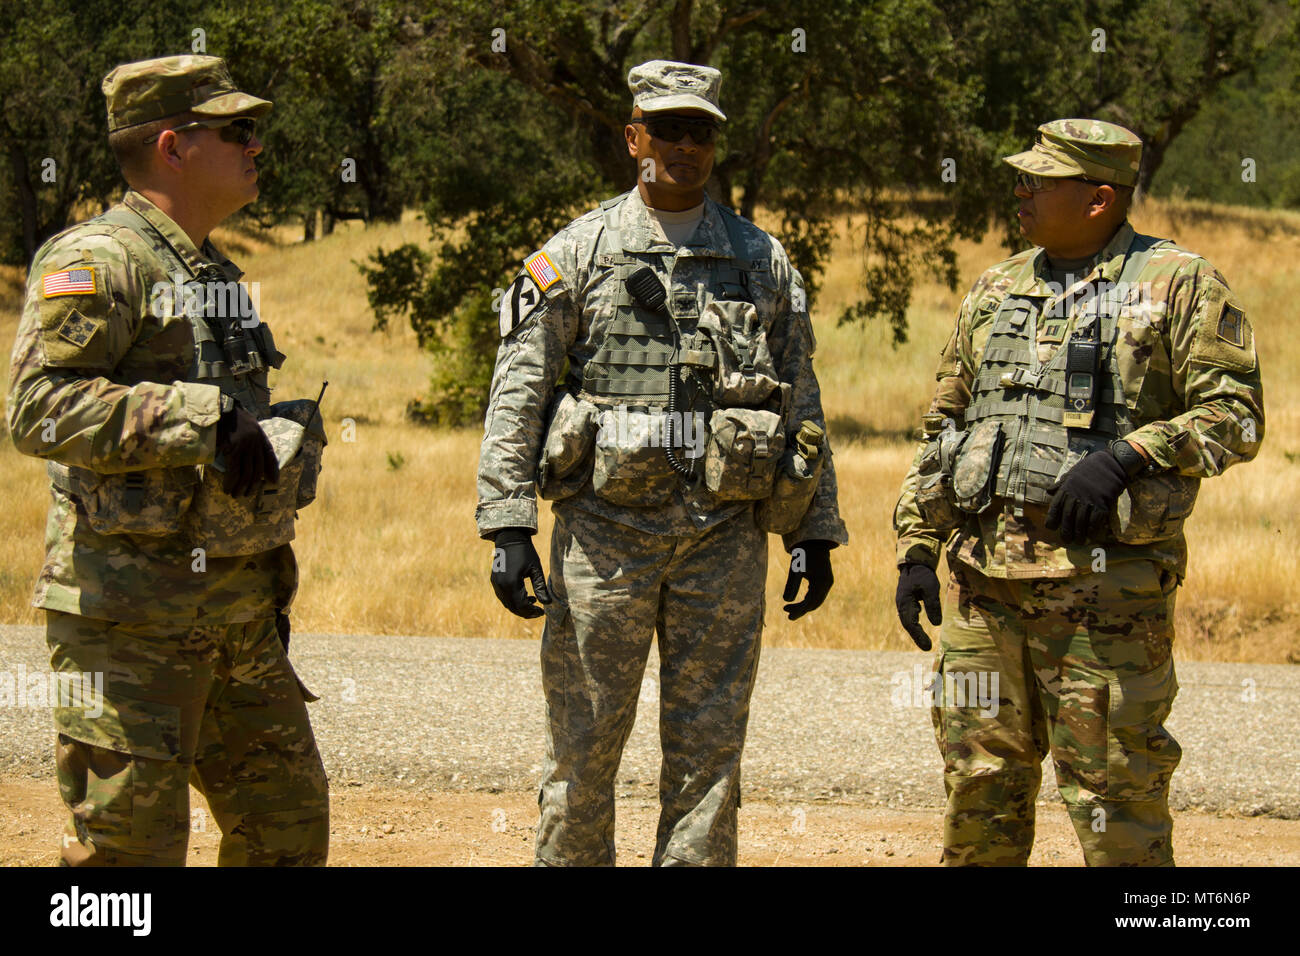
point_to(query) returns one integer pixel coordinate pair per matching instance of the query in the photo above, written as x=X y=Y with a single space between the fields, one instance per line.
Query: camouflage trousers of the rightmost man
x=1085 y=671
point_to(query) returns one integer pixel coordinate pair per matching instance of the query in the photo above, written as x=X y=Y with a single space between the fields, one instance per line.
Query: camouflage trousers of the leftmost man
x=216 y=707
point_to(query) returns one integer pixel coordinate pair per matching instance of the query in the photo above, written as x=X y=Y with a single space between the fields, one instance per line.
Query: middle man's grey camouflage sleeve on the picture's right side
x=792 y=344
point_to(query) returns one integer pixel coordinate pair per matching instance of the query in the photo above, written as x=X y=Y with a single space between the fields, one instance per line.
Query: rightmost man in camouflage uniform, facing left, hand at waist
x=1089 y=387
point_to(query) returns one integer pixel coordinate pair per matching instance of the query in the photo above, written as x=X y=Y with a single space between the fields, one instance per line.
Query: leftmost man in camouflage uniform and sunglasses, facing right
x=140 y=374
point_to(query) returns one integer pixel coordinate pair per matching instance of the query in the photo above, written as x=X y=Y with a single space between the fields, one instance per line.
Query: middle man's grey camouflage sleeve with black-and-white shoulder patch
x=539 y=326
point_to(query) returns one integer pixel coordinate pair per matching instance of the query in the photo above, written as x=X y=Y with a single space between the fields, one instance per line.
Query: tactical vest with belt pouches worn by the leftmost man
x=236 y=360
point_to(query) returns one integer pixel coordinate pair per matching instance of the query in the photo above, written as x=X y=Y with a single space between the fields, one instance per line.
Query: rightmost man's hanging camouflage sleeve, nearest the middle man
x=918 y=543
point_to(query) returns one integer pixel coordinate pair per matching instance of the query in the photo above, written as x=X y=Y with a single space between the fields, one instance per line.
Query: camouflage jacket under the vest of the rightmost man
x=1191 y=387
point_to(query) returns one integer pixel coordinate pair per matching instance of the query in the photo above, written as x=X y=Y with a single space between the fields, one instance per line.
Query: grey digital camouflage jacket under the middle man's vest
x=569 y=326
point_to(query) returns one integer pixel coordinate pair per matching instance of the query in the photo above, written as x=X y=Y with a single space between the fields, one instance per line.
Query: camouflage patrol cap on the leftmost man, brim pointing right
x=154 y=89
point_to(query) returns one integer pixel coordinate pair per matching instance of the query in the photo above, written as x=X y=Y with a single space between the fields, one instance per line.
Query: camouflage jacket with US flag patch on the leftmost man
x=102 y=383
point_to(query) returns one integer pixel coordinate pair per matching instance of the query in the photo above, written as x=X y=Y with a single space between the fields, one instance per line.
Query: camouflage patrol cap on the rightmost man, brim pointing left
x=1084 y=148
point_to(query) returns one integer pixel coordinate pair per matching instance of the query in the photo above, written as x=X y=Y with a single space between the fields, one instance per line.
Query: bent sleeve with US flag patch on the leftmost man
x=84 y=312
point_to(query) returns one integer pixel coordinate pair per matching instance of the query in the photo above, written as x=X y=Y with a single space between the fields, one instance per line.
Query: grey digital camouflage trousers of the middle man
x=614 y=589
